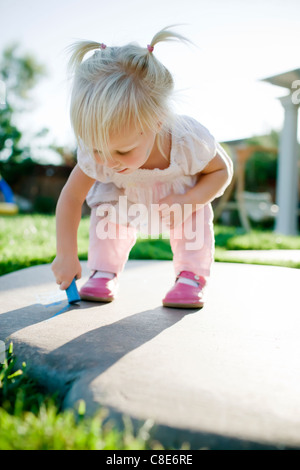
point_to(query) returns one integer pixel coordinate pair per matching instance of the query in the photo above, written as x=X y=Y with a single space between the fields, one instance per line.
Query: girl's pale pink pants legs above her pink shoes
x=192 y=244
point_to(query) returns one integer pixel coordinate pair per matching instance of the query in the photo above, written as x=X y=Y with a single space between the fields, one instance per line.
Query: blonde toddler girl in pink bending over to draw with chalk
x=137 y=162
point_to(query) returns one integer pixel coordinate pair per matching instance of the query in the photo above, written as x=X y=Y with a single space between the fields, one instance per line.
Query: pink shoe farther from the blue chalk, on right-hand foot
x=184 y=295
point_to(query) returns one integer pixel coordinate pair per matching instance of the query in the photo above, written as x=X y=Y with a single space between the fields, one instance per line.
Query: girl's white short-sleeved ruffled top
x=189 y=156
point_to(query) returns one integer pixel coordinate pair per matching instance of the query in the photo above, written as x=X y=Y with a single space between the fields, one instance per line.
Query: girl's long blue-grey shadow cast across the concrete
x=72 y=367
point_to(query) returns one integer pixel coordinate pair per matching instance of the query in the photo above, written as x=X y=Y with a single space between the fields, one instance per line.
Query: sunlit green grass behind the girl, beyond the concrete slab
x=28 y=240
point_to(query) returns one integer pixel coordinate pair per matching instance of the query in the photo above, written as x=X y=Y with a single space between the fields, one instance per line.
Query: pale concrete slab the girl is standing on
x=226 y=376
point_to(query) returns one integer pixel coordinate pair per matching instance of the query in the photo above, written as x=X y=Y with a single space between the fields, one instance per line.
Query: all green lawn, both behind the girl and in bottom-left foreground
x=29 y=418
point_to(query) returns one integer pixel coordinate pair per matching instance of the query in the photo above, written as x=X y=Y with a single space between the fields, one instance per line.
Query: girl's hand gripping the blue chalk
x=65 y=269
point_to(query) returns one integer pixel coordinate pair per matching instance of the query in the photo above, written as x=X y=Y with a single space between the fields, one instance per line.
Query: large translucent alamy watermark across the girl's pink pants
x=150 y=221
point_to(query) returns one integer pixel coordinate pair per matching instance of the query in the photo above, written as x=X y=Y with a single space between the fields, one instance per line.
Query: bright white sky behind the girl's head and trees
x=219 y=80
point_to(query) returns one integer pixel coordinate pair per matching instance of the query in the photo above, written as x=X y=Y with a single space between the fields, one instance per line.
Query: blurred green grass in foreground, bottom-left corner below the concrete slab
x=32 y=420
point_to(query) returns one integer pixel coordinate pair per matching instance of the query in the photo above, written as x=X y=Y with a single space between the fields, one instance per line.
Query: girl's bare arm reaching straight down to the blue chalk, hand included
x=68 y=215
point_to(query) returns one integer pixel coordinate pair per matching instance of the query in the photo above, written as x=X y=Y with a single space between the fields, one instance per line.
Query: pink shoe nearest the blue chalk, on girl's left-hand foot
x=101 y=289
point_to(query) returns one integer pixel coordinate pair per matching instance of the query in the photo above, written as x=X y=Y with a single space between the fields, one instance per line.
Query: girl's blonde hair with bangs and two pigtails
x=118 y=87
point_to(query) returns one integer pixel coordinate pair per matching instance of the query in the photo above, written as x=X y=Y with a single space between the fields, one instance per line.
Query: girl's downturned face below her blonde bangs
x=129 y=150
